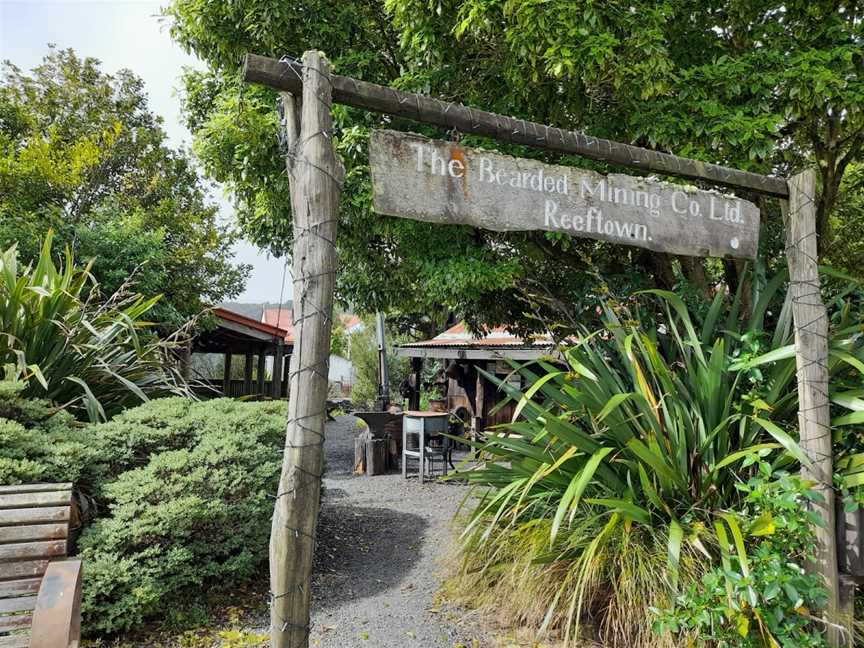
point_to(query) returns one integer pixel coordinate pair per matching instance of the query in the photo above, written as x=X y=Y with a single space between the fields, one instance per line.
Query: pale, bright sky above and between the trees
x=126 y=34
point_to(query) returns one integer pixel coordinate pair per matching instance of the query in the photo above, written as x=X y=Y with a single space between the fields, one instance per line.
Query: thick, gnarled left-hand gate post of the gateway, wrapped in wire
x=315 y=177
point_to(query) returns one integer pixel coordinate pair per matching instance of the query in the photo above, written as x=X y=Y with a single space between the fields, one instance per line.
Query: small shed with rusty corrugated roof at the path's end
x=468 y=394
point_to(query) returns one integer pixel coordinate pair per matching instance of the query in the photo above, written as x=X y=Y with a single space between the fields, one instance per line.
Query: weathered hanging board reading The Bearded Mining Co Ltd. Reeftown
x=443 y=182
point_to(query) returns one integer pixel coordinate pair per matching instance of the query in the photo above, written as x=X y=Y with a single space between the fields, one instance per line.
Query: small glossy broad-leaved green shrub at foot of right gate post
x=769 y=593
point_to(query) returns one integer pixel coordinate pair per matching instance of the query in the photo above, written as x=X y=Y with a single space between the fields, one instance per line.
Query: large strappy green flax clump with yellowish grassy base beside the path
x=619 y=483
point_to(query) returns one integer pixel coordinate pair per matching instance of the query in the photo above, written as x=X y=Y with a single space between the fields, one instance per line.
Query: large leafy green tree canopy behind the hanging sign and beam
x=766 y=86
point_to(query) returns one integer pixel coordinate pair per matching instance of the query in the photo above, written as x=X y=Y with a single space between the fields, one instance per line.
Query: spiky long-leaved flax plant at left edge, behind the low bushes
x=89 y=356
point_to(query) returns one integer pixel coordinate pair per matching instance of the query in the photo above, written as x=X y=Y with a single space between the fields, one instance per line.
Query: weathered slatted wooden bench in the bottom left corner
x=40 y=590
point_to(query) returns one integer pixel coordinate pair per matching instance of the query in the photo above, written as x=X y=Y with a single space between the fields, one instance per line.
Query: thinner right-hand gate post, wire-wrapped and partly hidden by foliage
x=811 y=358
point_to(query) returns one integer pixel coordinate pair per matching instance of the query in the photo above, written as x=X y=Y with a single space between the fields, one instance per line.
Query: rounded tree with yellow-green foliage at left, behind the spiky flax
x=81 y=152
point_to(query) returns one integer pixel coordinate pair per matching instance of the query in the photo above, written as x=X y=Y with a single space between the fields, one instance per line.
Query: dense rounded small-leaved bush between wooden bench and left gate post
x=195 y=509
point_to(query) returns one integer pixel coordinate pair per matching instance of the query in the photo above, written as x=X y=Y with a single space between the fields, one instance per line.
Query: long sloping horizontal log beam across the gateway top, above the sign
x=286 y=76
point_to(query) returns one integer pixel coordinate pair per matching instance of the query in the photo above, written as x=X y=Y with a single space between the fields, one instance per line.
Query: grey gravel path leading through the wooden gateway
x=378 y=561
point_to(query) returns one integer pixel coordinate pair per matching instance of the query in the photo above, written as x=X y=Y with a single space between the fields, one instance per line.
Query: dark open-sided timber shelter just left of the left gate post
x=238 y=335
